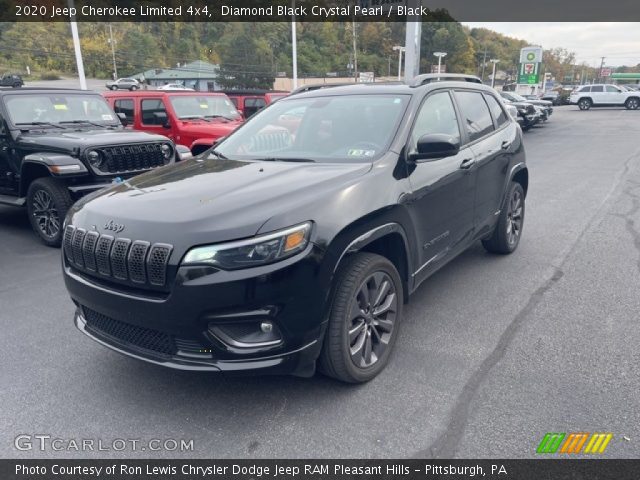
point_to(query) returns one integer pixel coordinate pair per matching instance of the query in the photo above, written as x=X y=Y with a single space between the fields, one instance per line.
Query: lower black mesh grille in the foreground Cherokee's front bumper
x=144 y=338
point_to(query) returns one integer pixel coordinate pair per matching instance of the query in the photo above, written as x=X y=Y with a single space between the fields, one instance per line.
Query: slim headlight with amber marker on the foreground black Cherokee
x=253 y=252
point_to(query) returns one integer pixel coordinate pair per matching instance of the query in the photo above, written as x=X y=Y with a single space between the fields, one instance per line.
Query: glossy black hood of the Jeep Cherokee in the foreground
x=203 y=201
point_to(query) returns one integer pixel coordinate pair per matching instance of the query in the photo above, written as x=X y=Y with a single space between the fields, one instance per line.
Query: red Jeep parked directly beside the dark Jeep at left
x=196 y=120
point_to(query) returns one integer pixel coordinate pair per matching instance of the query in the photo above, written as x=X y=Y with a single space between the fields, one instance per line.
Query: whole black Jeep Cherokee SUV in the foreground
x=300 y=236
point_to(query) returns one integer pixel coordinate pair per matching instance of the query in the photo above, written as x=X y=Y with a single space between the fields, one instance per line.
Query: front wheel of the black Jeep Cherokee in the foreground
x=364 y=318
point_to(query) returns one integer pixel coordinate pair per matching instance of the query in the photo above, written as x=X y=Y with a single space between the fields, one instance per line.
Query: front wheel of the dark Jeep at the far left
x=47 y=204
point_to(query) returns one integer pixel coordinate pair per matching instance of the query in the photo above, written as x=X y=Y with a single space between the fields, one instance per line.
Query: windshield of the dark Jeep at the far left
x=59 y=108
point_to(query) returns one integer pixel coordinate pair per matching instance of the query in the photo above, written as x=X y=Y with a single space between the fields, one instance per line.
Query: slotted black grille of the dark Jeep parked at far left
x=130 y=158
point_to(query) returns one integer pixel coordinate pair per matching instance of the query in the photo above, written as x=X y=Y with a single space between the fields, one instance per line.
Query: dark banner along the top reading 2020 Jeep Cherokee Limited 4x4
x=317 y=10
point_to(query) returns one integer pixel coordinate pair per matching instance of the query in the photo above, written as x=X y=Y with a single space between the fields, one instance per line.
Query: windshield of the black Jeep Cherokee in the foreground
x=340 y=128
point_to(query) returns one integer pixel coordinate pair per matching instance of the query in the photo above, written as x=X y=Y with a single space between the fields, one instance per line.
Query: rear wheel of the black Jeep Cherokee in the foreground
x=506 y=236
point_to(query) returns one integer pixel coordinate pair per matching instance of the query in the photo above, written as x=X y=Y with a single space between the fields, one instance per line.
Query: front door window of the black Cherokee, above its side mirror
x=436 y=115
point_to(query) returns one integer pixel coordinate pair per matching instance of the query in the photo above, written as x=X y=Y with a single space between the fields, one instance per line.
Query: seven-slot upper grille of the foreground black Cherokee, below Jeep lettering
x=119 y=258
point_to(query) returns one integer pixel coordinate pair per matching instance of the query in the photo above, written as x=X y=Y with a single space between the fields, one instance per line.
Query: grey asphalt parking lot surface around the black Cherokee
x=493 y=353
